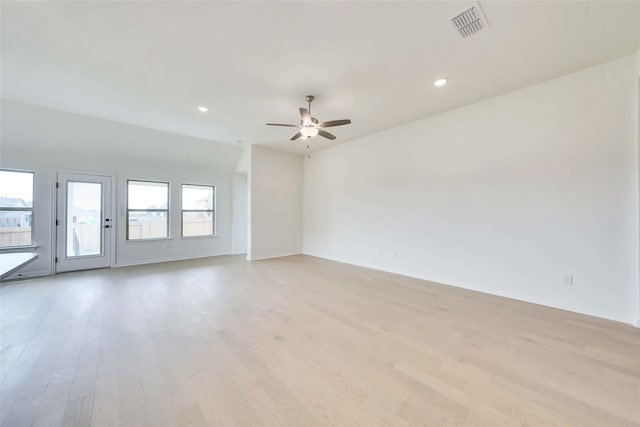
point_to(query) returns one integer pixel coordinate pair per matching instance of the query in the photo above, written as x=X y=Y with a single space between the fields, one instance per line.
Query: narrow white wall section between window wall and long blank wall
x=275 y=203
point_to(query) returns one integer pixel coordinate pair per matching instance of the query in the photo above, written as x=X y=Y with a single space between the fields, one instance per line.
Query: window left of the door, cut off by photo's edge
x=16 y=208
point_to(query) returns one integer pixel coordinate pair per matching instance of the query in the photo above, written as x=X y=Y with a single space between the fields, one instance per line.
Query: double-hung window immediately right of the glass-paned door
x=147 y=210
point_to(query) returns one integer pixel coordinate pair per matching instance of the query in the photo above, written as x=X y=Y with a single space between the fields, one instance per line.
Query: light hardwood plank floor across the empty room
x=301 y=341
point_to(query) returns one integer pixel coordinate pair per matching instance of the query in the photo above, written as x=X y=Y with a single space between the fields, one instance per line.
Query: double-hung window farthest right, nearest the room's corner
x=198 y=210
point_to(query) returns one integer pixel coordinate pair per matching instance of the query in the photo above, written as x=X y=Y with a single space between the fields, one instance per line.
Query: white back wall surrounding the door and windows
x=43 y=140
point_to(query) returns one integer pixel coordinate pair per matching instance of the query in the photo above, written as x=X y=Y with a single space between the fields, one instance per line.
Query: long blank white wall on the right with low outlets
x=505 y=196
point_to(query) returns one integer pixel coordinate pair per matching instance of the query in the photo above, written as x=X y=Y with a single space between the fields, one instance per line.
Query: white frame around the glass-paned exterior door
x=54 y=208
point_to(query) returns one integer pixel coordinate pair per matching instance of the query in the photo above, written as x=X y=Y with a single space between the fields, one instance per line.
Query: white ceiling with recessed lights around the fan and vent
x=152 y=63
